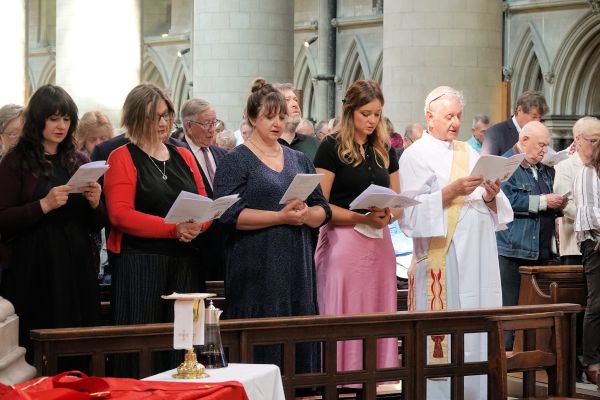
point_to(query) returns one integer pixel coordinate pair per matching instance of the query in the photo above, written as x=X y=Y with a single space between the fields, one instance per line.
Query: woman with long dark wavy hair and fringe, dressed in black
x=51 y=277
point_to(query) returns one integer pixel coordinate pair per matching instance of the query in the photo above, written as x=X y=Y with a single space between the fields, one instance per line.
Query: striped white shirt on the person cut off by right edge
x=586 y=194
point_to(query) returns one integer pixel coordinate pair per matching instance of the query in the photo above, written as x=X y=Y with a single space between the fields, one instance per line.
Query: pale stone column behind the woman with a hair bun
x=235 y=41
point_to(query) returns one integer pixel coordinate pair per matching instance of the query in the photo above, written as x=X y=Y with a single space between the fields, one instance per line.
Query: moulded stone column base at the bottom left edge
x=13 y=367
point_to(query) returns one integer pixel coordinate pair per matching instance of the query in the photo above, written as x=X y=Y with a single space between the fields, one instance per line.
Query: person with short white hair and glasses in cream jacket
x=586 y=133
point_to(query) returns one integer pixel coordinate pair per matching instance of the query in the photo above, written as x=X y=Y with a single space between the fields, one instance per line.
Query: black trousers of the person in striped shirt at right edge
x=591 y=319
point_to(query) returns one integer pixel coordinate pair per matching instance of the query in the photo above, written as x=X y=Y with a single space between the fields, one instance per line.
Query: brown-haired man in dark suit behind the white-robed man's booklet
x=530 y=106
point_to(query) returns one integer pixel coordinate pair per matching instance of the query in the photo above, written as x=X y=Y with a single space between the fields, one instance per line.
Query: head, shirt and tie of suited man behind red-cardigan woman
x=199 y=121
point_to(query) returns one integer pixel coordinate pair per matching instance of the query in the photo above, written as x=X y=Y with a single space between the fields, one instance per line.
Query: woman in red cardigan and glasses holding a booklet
x=144 y=179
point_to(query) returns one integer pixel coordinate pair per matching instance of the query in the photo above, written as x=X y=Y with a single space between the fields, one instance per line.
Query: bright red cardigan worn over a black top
x=119 y=189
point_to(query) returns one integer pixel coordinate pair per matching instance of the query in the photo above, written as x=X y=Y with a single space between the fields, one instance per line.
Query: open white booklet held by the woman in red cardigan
x=194 y=207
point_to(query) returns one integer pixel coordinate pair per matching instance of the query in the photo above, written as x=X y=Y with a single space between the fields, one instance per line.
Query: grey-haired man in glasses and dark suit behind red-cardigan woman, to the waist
x=199 y=120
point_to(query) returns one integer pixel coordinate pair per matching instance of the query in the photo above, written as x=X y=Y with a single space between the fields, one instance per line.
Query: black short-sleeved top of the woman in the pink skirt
x=351 y=181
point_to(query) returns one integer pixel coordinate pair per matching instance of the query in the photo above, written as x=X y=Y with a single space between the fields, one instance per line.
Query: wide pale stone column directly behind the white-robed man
x=442 y=42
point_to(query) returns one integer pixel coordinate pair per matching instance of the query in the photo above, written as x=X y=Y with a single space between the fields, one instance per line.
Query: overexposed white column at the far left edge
x=13 y=49
